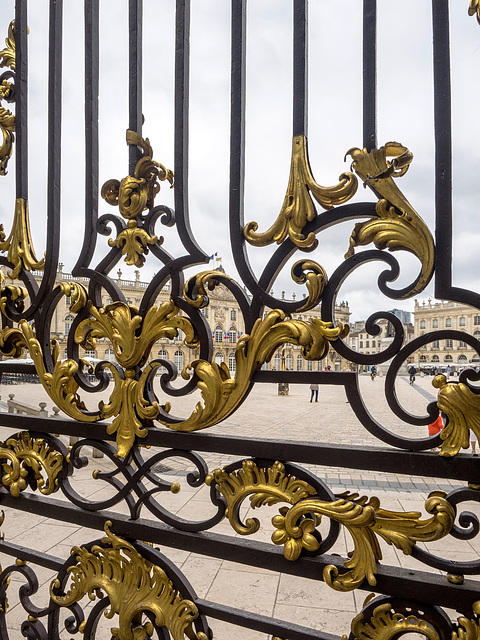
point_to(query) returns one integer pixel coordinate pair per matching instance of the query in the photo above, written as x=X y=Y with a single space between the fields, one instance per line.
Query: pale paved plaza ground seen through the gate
x=264 y=414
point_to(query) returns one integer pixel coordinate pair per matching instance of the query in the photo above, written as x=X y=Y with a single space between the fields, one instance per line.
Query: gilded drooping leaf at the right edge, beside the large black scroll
x=462 y=407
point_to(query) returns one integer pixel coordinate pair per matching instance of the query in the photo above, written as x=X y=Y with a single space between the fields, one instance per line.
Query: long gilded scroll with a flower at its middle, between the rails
x=364 y=519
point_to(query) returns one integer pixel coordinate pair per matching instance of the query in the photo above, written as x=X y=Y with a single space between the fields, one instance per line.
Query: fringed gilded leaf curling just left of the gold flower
x=263 y=487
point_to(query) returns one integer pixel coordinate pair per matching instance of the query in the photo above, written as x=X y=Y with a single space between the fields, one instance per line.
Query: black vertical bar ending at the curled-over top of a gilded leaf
x=369 y=74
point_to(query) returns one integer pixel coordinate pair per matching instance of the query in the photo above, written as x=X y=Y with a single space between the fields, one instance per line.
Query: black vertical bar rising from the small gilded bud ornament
x=135 y=29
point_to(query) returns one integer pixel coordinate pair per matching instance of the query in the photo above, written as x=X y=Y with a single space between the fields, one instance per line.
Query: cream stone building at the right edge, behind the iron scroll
x=456 y=354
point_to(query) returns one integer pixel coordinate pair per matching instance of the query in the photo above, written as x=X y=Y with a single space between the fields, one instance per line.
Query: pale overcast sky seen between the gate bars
x=405 y=108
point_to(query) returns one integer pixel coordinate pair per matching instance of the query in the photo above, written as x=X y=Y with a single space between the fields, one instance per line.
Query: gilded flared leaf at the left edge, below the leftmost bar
x=19 y=245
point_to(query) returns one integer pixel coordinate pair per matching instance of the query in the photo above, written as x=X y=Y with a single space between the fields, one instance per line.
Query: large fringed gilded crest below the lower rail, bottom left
x=133 y=585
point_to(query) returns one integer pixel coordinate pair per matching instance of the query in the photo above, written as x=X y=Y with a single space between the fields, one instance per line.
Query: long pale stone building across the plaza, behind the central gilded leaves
x=223 y=315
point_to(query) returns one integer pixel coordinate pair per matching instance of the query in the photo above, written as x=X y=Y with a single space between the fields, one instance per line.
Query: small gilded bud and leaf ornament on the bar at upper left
x=133 y=195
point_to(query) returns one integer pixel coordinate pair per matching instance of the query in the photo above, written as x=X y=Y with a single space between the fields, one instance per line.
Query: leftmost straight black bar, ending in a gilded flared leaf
x=21 y=99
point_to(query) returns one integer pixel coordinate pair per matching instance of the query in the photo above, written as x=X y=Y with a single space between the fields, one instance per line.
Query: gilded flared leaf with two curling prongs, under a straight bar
x=298 y=207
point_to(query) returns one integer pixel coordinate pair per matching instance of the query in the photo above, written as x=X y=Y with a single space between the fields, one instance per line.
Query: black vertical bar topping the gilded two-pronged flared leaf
x=300 y=67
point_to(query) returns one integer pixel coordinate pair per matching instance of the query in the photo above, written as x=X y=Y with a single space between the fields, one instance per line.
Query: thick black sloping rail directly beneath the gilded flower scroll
x=394 y=581
